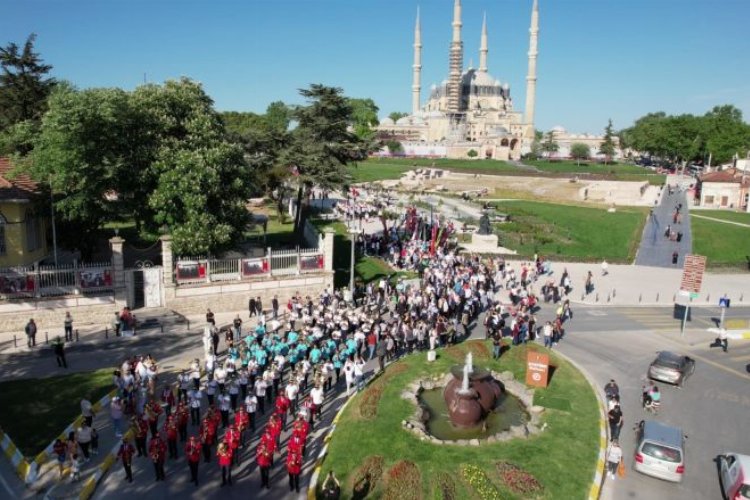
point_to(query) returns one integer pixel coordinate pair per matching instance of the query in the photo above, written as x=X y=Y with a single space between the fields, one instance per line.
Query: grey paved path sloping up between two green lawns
x=655 y=249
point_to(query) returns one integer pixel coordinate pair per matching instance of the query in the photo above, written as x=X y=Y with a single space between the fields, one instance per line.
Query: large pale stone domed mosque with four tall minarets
x=471 y=110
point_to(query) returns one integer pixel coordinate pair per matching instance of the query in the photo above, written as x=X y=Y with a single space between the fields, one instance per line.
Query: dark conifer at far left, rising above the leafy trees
x=24 y=84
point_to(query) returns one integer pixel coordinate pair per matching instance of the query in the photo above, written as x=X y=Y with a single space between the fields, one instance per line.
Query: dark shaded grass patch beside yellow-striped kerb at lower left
x=36 y=411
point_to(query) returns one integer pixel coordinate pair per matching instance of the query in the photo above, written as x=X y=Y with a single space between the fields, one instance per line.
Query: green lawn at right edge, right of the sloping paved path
x=722 y=244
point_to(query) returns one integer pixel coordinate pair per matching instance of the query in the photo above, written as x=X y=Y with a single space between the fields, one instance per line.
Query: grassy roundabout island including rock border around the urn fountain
x=383 y=447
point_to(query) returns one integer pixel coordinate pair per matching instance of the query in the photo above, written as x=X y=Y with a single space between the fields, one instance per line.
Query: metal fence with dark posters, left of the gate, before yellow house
x=25 y=282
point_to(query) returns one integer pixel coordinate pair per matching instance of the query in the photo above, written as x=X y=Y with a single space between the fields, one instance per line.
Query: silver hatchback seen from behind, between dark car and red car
x=659 y=451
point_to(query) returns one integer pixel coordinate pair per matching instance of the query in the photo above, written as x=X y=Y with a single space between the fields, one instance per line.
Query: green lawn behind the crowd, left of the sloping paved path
x=570 y=231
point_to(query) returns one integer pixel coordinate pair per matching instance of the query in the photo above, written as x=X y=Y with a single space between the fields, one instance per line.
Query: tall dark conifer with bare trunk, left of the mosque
x=321 y=146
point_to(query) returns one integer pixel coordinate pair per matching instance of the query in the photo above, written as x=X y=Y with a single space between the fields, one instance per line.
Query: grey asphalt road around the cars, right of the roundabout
x=709 y=409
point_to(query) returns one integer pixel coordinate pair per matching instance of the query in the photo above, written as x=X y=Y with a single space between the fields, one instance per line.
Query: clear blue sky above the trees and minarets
x=598 y=59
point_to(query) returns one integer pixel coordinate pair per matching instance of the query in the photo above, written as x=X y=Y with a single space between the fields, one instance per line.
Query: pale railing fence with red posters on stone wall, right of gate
x=197 y=270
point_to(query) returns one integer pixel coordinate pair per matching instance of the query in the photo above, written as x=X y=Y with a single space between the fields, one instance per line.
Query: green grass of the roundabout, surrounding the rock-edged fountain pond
x=562 y=457
